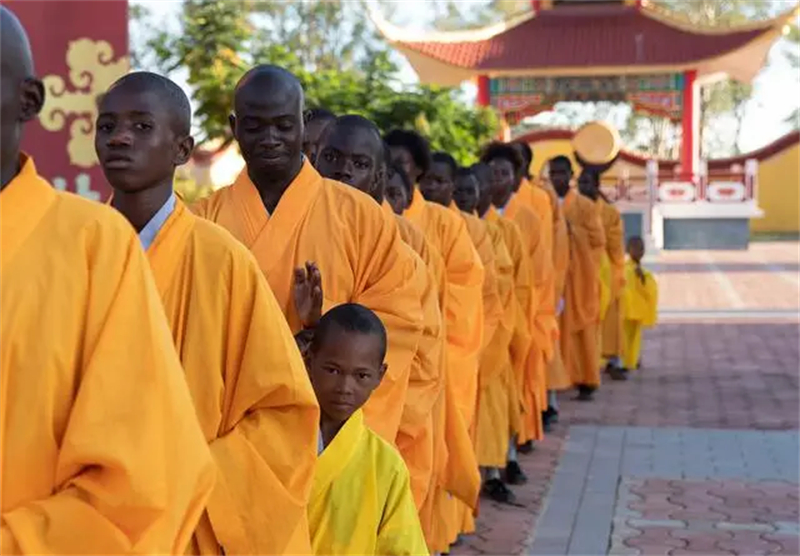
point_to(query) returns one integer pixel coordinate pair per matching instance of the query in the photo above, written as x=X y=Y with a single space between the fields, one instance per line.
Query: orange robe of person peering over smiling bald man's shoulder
x=415 y=439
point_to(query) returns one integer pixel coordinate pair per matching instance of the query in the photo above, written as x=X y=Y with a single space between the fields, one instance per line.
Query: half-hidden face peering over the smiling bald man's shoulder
x=351 y=155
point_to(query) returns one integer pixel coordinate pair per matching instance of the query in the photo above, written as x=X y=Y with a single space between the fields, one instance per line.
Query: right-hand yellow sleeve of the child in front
x=400 y=532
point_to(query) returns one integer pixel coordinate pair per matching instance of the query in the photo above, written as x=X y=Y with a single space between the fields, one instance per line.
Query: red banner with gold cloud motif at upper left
x=80 y=47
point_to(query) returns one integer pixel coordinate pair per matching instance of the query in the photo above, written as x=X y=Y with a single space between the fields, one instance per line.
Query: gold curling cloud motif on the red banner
x=92 y=69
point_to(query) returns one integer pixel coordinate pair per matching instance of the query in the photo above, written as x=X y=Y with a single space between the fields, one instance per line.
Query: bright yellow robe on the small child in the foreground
x=361 y=501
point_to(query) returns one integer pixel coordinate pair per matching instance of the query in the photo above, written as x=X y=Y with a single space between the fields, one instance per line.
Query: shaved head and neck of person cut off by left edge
x=22 y=94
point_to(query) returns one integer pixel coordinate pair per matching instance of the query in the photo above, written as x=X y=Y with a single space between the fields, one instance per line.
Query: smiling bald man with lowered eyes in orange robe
x=287 y=214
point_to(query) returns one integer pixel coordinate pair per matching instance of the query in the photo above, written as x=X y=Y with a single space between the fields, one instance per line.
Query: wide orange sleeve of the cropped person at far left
x=134 y=469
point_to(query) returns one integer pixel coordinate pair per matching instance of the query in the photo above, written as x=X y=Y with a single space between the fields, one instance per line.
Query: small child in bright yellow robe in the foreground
x=361 y=501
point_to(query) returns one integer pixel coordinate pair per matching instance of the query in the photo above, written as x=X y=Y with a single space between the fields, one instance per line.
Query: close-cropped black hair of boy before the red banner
x=166 y=91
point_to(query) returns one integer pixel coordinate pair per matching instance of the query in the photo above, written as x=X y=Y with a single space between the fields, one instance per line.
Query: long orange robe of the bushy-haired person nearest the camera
x=463 y=311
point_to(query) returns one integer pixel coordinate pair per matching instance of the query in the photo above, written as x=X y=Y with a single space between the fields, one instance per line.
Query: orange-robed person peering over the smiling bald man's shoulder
x=353 y=153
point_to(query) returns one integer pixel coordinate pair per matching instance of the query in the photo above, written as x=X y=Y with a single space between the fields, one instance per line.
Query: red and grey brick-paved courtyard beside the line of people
x=698 y=452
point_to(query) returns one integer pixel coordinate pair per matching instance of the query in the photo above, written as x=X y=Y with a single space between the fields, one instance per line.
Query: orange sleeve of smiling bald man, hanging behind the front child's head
x=385 y=283
